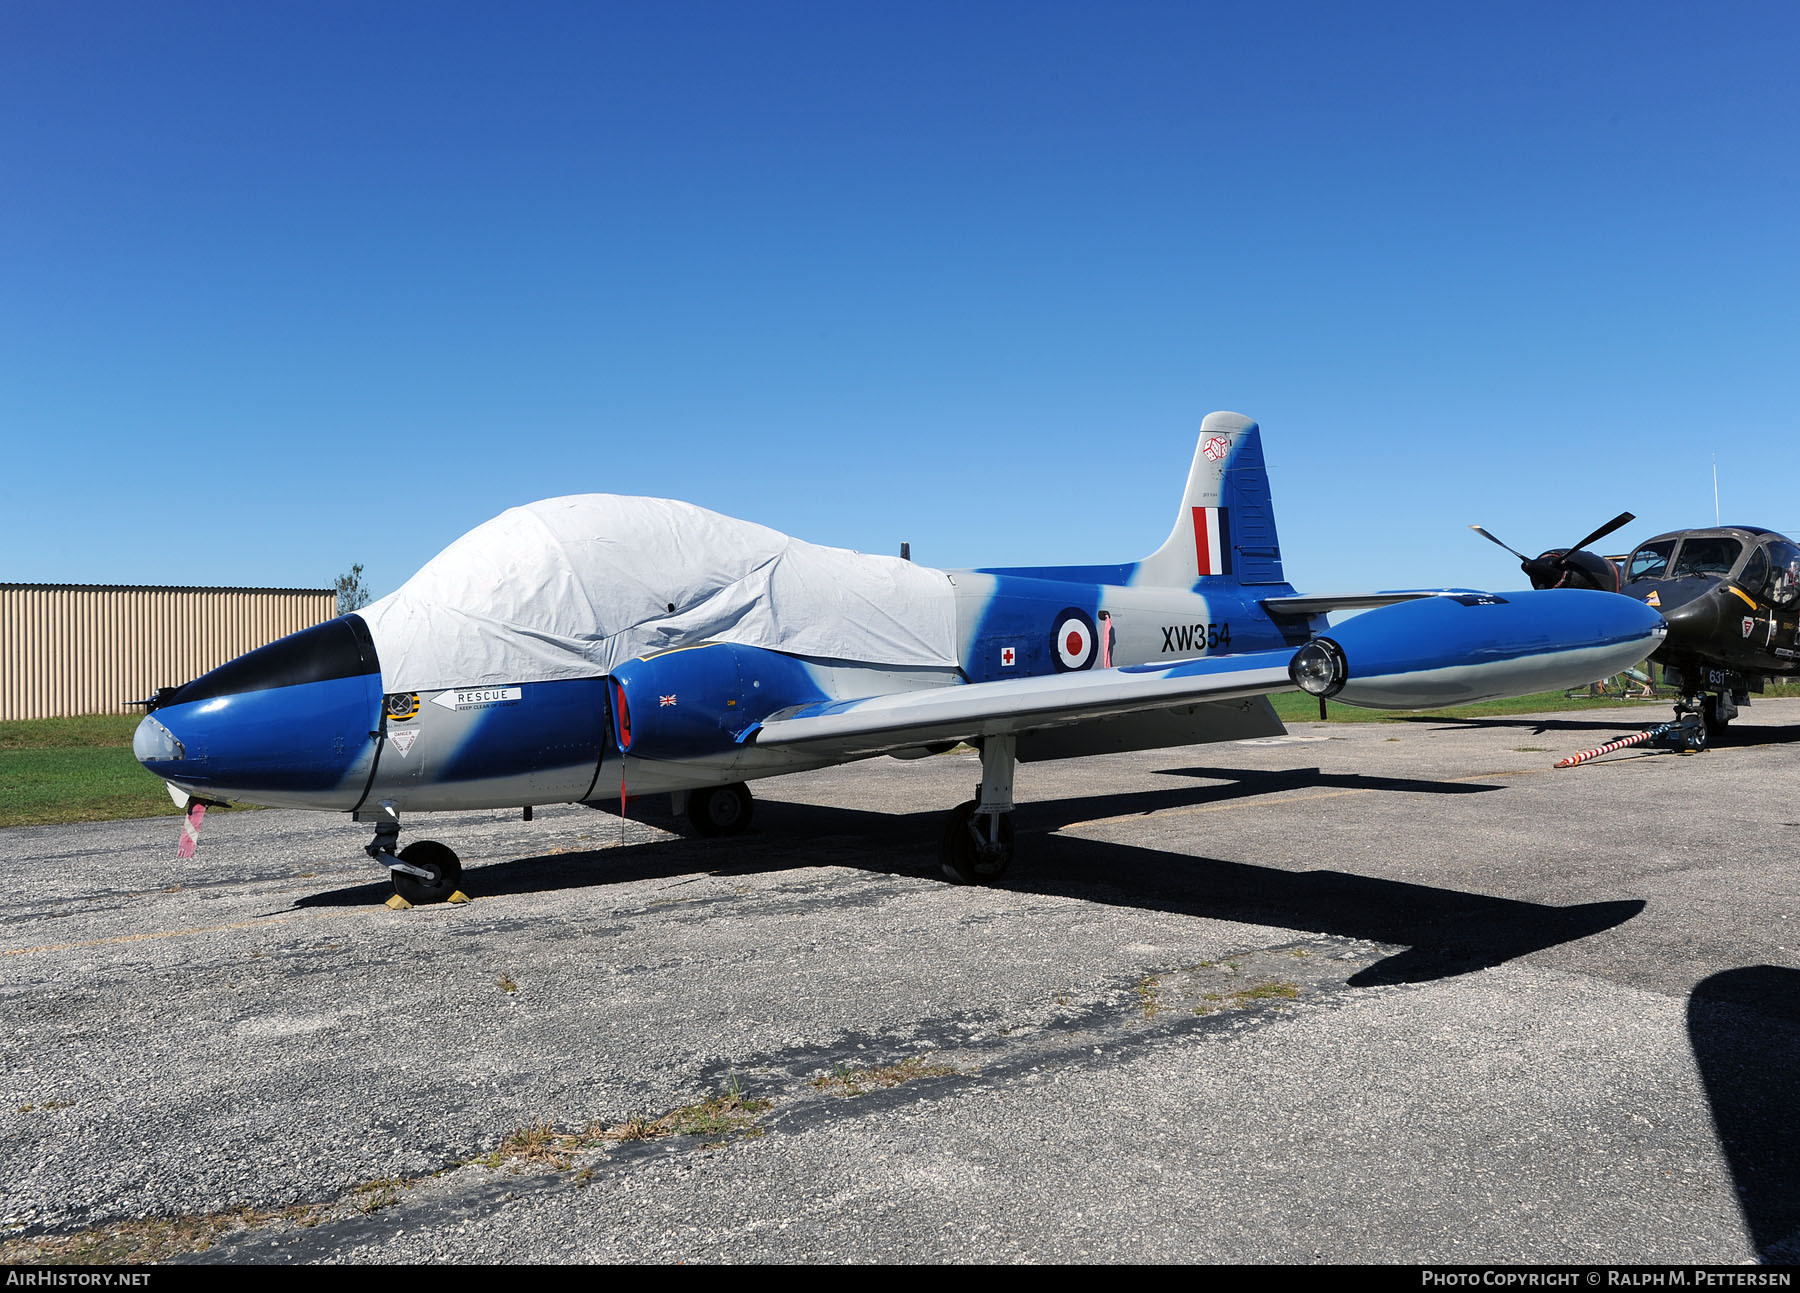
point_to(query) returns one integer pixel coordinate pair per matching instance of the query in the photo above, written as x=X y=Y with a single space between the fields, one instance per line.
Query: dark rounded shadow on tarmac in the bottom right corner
x=1745 y=1029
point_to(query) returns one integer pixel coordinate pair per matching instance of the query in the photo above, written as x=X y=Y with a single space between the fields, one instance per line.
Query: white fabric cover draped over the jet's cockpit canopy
x=571 y=588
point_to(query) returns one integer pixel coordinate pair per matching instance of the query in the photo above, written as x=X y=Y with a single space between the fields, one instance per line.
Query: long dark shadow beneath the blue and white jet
x=1444 y=932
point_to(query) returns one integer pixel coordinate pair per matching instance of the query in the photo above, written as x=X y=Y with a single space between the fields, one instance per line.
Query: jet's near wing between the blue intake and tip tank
x=910 y=719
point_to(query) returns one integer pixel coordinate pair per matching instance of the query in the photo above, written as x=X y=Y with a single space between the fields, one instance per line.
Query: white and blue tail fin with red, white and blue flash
x=1225 y=530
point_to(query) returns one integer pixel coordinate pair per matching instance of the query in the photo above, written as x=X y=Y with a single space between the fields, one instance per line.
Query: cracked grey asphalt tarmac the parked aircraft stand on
x=1369 y=993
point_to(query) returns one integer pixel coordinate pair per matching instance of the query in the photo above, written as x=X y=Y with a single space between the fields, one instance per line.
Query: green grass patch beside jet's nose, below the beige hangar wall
x=75 y=770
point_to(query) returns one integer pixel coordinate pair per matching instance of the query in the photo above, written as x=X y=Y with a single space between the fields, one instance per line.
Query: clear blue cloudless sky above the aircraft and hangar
x=287 y=287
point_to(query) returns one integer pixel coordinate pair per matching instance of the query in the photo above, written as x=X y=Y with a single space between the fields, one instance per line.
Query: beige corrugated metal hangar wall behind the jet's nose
x=93 y=649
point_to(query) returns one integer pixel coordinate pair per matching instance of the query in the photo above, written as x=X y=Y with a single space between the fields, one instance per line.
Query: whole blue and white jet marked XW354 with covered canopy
x=597 y=646
